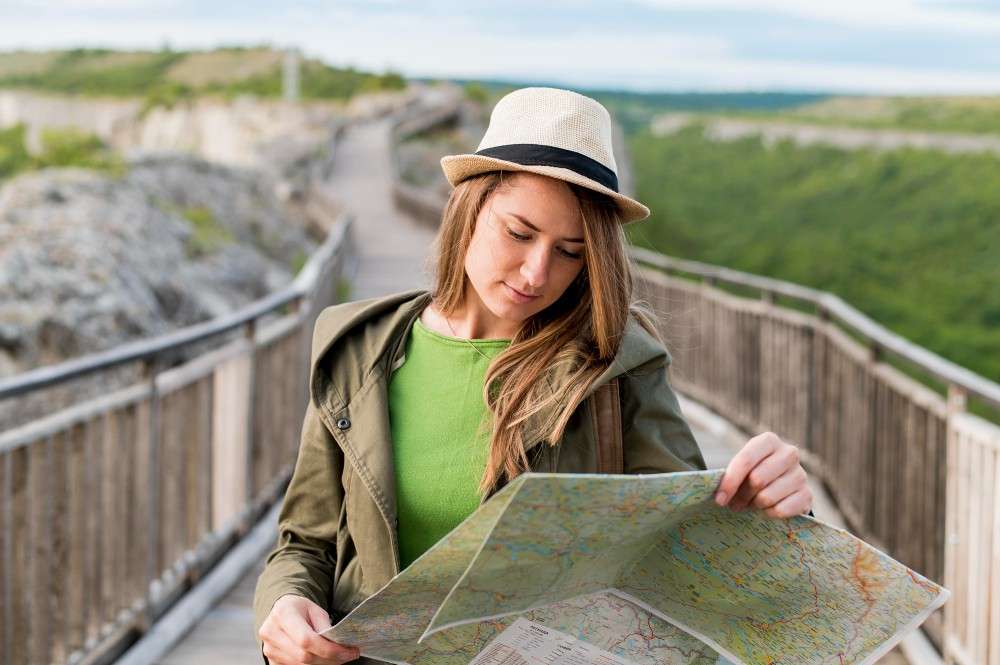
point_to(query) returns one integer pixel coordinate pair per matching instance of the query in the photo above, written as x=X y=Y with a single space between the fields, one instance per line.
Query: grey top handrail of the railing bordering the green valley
x=832 y=306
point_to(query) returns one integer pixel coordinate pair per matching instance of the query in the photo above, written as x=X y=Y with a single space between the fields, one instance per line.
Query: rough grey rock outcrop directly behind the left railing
x=88 y=261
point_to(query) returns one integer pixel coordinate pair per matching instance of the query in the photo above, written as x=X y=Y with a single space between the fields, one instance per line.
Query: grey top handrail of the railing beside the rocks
x=146 y=349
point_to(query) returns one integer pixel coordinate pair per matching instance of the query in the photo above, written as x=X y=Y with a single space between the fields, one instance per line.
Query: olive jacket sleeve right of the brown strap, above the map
x=655 y=436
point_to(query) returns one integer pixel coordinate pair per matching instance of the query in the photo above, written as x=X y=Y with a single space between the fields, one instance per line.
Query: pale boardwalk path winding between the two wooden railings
x=393 y=252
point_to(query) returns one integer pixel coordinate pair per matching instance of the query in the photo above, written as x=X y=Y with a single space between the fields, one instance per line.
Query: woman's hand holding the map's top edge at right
x=766 y=474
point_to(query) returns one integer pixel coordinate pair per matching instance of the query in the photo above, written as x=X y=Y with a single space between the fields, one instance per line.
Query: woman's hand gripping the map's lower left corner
x=290 y=634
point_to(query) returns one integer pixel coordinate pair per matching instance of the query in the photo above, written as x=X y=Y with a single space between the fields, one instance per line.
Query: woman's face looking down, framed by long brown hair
x=526 y=249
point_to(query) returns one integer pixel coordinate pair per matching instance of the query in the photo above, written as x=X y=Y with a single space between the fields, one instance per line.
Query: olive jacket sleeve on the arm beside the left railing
x=304 y=559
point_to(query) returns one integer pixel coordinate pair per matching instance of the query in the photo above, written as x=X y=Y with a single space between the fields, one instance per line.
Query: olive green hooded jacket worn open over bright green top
x=337 y=540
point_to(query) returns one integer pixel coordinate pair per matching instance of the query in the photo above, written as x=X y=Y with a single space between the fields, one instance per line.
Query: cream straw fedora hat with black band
x=558 y=133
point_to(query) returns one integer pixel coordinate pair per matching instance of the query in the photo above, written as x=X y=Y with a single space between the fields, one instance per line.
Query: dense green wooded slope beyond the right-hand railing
x=910 y=237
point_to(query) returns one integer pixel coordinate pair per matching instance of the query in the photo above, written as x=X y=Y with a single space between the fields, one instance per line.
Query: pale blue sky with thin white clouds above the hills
x=845 y=46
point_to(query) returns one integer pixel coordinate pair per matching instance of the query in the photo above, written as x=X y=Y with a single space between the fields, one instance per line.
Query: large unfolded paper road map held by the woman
x=633 y=570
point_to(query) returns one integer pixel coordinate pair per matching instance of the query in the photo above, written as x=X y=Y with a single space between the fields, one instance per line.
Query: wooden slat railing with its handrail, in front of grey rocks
x=112 y=508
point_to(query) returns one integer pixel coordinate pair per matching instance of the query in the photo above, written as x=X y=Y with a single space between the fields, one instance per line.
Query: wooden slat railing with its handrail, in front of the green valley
x=911 y=470
